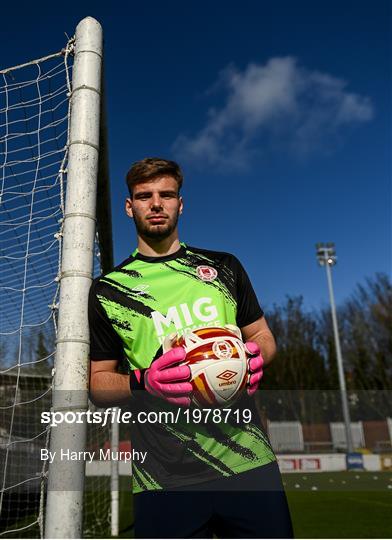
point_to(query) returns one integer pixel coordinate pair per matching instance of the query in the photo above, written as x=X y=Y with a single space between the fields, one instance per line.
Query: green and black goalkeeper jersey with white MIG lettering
x=131 y=310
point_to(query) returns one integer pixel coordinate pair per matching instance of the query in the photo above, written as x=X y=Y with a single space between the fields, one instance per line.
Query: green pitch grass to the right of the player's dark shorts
x=340 y=505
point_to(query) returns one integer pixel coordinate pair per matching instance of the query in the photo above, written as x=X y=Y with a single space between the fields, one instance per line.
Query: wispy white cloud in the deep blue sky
x=279 y=104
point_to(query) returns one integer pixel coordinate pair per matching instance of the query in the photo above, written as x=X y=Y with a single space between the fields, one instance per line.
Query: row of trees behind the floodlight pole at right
x=302 y=382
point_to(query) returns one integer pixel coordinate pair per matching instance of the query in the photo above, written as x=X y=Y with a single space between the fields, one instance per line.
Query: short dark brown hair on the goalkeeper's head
x=149 y=168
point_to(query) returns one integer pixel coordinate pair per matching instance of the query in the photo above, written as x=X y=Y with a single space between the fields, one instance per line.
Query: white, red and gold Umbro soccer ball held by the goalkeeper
x=218 y=362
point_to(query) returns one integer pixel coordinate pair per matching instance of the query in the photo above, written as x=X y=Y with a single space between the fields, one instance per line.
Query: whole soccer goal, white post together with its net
x=52 y=163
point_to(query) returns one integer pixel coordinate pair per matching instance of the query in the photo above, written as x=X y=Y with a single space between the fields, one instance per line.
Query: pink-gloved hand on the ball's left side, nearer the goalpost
x=170 y=383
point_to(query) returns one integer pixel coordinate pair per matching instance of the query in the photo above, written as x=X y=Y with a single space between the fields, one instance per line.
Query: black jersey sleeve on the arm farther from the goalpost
x=248 y=307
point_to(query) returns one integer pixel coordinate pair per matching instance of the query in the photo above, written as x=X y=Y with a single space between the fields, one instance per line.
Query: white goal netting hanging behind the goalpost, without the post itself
x=35 y=111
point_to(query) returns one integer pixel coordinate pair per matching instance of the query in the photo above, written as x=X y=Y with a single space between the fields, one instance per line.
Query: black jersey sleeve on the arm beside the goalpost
x=105 y=343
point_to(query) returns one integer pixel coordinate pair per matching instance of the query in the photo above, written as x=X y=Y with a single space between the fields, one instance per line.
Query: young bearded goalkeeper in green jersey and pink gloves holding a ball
x=197 y=479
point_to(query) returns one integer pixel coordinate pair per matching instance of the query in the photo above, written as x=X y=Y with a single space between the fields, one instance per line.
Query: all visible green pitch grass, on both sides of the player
x=322 y=505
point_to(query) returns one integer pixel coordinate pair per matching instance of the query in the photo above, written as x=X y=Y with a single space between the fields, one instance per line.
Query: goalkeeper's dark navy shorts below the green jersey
x=247 y=505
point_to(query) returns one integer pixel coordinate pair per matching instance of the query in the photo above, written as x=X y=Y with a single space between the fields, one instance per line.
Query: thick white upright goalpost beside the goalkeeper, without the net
x=66 y=478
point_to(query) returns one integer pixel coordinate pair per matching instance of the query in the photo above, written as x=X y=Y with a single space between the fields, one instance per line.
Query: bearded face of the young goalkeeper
x=155 y=207
